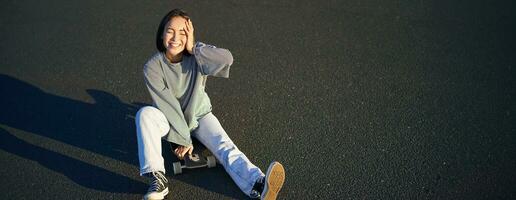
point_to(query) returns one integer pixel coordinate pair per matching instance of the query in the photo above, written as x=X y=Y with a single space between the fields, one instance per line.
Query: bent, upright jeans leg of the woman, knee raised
x=151 y=126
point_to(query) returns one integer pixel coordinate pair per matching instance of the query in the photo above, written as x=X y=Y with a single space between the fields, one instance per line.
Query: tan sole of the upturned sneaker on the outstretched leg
x=273 y=181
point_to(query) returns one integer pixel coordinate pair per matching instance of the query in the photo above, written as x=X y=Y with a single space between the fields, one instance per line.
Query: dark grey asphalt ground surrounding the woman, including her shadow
x=358 y=99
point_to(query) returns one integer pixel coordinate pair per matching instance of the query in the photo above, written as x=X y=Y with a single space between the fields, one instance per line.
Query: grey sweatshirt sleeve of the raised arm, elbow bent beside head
x=213 y=61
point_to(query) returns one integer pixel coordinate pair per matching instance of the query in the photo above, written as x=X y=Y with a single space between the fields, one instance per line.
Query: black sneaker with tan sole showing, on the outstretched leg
x=267 y=188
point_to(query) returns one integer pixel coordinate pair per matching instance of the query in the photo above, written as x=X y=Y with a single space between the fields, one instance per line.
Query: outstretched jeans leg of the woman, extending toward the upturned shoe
x=212 y=135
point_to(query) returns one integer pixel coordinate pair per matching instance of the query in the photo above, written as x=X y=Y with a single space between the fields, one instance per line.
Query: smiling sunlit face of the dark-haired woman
x=174 y=36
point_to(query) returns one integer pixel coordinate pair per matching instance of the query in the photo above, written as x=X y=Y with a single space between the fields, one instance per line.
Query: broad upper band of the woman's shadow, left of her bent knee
x=105 y=127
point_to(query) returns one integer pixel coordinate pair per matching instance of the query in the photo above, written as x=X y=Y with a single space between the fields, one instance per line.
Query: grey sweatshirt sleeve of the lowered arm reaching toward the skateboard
x=165 y=101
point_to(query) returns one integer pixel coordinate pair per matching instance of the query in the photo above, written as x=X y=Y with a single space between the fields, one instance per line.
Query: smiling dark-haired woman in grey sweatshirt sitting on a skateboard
x=175 y=77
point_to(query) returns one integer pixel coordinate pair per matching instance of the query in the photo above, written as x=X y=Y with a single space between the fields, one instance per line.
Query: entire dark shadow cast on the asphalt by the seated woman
x=105 y=127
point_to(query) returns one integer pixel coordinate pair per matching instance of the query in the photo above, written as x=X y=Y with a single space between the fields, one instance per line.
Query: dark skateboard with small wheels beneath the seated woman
x=196 y=160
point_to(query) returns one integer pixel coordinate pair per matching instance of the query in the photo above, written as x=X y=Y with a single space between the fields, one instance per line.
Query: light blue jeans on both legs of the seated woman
x=152 y=126
